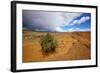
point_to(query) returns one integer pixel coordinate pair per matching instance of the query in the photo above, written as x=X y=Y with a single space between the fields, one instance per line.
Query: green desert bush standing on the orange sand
x=48 y=43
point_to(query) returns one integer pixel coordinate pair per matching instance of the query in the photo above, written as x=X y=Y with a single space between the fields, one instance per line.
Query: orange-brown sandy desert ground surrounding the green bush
x=71 y=46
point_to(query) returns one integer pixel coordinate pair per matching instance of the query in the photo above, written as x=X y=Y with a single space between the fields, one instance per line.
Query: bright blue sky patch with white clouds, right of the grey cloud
x=81 y=23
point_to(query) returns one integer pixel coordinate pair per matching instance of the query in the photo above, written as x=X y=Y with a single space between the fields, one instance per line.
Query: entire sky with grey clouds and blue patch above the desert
x=56 y=21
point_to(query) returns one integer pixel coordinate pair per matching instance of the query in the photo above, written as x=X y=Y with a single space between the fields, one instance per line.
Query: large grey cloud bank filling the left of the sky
x=44 y=20
